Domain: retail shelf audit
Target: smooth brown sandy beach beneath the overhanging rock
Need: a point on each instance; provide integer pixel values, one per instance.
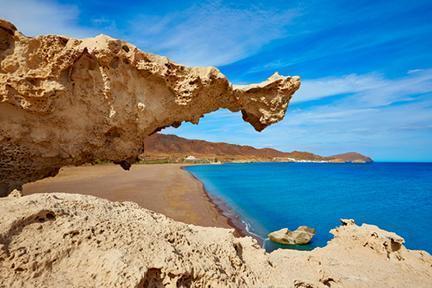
(164, 188)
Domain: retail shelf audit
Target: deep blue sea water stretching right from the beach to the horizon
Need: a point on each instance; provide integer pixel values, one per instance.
(269, 196)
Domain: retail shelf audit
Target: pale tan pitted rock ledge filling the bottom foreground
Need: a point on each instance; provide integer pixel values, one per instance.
(64, 240)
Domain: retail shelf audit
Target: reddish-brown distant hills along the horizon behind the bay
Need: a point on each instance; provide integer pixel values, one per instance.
(173, 148)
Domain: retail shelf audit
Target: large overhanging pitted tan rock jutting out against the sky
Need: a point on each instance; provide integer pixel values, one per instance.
(67, 101)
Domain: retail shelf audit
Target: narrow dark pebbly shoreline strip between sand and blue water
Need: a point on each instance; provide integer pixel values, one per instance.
(234, 219)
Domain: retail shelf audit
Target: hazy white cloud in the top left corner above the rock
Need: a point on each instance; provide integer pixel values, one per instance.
(36, 17)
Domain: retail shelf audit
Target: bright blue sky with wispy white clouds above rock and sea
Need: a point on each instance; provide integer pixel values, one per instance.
(366, 66)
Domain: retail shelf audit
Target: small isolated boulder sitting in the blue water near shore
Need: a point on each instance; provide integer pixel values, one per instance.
(302, 235)
